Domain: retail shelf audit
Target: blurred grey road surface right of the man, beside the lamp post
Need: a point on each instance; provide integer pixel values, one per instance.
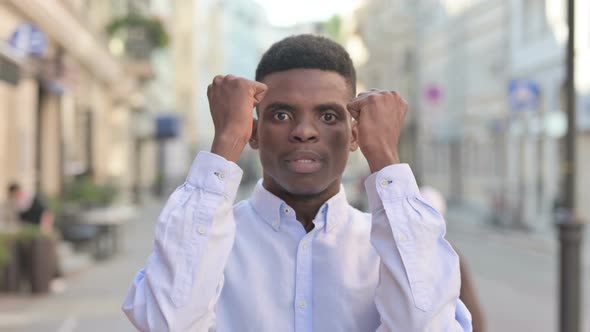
(515, 274)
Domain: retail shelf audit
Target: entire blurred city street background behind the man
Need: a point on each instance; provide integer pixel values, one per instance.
(103, 105)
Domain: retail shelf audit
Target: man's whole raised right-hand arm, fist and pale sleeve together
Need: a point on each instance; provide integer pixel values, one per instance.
(419, 277)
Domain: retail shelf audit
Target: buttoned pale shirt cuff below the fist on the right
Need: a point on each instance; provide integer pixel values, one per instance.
(392, 183)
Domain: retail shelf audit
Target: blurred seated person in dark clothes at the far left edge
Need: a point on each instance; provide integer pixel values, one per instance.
(30, 208)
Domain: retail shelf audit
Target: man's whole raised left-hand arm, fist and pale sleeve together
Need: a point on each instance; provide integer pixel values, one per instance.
(179, 287)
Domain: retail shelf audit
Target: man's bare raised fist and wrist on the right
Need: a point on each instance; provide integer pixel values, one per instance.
(380, 116)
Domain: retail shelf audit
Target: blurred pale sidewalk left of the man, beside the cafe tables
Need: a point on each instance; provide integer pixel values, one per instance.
(92, 300)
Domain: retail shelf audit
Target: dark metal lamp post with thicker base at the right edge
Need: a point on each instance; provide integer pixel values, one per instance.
(569, 225)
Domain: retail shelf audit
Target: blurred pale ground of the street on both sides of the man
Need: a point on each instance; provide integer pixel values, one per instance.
(514, 274)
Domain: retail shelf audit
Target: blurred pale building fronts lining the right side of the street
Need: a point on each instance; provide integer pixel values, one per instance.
(472, 142)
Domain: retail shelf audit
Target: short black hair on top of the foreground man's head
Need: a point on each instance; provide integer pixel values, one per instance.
(307, 52)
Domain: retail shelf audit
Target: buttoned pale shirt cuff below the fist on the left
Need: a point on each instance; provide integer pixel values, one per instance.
(214, 173)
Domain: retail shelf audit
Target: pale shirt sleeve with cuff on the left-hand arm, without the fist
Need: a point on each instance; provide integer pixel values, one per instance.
(179, 286)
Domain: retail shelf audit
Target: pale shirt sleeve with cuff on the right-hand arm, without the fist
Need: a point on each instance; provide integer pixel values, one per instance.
(419, 273)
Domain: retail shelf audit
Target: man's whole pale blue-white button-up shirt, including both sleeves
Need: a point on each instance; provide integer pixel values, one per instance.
(253, 267)
